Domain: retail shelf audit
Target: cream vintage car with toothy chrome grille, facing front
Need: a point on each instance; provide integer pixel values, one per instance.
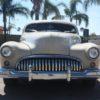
(50, 50)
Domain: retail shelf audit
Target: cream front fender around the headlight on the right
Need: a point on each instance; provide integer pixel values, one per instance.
(81, 51)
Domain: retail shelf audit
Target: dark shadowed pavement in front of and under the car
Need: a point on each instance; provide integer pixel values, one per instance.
(49, 90)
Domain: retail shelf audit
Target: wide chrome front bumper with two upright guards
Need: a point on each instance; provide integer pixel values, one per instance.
(11, 73)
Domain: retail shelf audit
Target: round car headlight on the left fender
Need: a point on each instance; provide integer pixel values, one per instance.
(6, 51)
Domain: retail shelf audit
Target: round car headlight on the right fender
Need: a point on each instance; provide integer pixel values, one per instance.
(93, 53)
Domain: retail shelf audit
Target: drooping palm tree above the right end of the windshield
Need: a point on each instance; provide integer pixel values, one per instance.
(72, 13)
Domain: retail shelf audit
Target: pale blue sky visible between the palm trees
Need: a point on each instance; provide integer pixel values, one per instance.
(93, 13)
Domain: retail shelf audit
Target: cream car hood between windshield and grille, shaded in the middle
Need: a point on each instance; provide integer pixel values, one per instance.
(48, 42)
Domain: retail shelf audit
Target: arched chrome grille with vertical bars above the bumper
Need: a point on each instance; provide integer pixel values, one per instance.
(49, 63)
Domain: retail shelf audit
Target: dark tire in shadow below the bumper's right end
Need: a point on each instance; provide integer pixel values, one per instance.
(89, 83)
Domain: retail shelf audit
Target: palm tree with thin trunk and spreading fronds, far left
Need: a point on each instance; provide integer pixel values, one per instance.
(7, 8)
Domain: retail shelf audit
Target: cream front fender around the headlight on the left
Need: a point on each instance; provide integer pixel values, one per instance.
(19, 50)
